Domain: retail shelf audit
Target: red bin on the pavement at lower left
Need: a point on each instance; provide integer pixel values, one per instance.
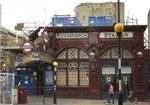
(22, 95)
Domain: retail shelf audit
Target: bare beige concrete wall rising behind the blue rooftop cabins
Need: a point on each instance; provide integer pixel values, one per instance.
(99, 9)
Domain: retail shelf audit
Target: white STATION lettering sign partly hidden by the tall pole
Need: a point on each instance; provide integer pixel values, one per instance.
(113, 35)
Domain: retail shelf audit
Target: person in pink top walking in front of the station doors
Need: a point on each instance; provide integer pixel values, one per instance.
(110, 93)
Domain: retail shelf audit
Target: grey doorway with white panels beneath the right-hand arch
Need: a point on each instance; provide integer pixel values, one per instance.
(109, 73)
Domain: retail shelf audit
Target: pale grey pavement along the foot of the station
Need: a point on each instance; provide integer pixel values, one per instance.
(39, 100)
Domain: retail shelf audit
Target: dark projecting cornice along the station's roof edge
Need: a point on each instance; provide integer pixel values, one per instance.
(127, 28)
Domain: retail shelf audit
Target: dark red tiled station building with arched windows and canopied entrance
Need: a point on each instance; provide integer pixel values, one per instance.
(88, 60)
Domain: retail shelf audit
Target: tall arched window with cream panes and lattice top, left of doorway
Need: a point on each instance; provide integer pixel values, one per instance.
(73, 69)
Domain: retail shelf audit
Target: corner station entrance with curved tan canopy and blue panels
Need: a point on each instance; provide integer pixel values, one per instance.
(35, 73)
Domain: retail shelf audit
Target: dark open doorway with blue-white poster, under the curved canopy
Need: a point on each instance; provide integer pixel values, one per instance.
(44, 81)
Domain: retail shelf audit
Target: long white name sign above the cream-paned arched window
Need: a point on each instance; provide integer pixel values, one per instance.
(71, 35)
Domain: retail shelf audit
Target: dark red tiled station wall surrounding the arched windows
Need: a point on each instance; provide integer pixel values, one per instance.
(94, 42)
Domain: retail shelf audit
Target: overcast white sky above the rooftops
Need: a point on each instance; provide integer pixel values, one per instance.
(41, 11)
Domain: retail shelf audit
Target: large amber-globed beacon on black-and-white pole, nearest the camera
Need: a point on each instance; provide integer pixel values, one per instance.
(119, 28)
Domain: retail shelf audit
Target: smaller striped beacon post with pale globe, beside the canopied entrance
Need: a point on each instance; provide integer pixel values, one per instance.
(55, 64)
